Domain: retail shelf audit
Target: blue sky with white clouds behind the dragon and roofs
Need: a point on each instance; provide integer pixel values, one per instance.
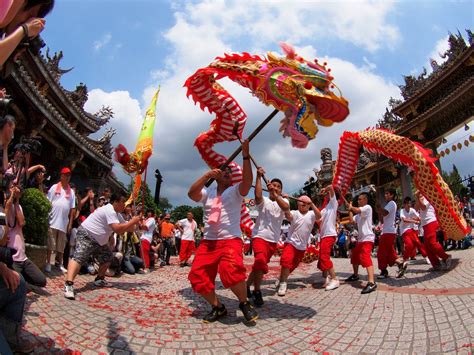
(123, 49)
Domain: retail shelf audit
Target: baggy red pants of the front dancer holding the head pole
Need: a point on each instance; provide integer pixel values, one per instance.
(212, 256)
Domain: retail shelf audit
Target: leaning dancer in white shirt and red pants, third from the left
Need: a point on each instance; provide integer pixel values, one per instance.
(301, 223)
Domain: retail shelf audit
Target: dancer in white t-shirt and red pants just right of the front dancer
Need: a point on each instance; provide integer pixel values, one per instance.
(266, 233)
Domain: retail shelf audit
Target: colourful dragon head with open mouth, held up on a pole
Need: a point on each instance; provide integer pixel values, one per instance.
(303, 90)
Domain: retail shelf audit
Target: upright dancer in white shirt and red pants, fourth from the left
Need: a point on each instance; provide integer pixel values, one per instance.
(328, 236)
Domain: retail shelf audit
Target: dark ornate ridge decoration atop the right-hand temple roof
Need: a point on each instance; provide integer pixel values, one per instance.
(457, 46)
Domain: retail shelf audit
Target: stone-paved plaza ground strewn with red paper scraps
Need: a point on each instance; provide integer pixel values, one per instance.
(425, 312)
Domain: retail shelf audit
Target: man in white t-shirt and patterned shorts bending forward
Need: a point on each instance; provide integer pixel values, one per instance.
(92, 239)
